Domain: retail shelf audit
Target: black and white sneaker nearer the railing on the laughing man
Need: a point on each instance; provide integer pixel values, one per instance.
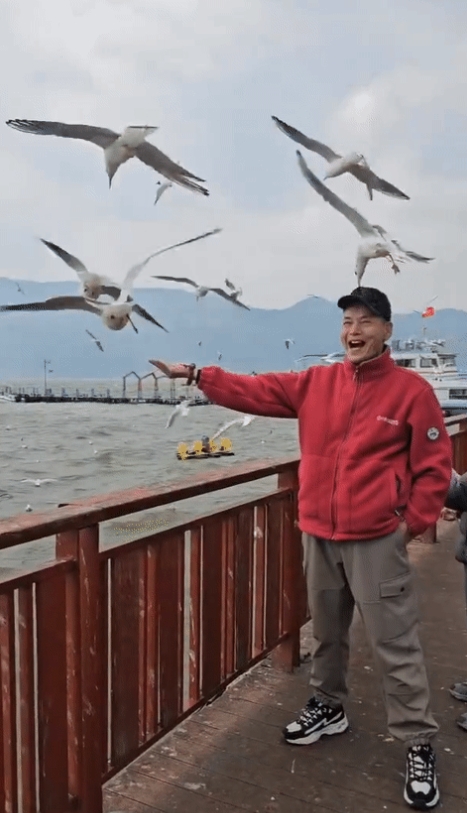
(316, 719)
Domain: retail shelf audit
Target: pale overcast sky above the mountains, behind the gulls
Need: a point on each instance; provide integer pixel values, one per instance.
(386, 78)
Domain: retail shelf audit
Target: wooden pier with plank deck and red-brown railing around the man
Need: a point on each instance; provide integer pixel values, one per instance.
(155, 675)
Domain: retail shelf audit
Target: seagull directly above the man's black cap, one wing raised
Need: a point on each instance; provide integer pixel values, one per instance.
(375, 240)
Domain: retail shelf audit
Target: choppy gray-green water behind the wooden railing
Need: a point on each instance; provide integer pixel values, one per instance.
(98, 448)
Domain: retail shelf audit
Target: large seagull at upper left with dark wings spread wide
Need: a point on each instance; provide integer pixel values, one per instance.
(118, 148)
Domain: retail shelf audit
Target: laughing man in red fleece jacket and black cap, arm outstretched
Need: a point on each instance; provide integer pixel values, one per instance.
(374, 472)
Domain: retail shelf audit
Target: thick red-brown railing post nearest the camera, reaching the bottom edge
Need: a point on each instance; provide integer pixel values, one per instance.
(86, 730)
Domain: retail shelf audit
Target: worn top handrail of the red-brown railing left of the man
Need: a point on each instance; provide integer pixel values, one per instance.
(23, 528)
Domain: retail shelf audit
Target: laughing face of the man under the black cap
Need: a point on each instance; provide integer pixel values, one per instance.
(363, 334)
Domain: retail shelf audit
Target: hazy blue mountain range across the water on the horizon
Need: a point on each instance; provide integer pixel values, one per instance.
(248, 341)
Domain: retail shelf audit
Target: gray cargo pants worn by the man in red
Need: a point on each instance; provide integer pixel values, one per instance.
(374, 575)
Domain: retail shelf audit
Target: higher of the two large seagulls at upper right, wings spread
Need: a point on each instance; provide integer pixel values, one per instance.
(354, 163)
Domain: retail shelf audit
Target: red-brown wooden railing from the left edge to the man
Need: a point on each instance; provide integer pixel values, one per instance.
(102, 651)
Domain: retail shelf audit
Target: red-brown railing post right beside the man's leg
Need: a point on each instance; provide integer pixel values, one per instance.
(286, 656)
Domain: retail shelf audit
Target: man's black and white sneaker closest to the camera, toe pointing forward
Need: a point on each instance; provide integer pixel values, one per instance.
(421, 786)
